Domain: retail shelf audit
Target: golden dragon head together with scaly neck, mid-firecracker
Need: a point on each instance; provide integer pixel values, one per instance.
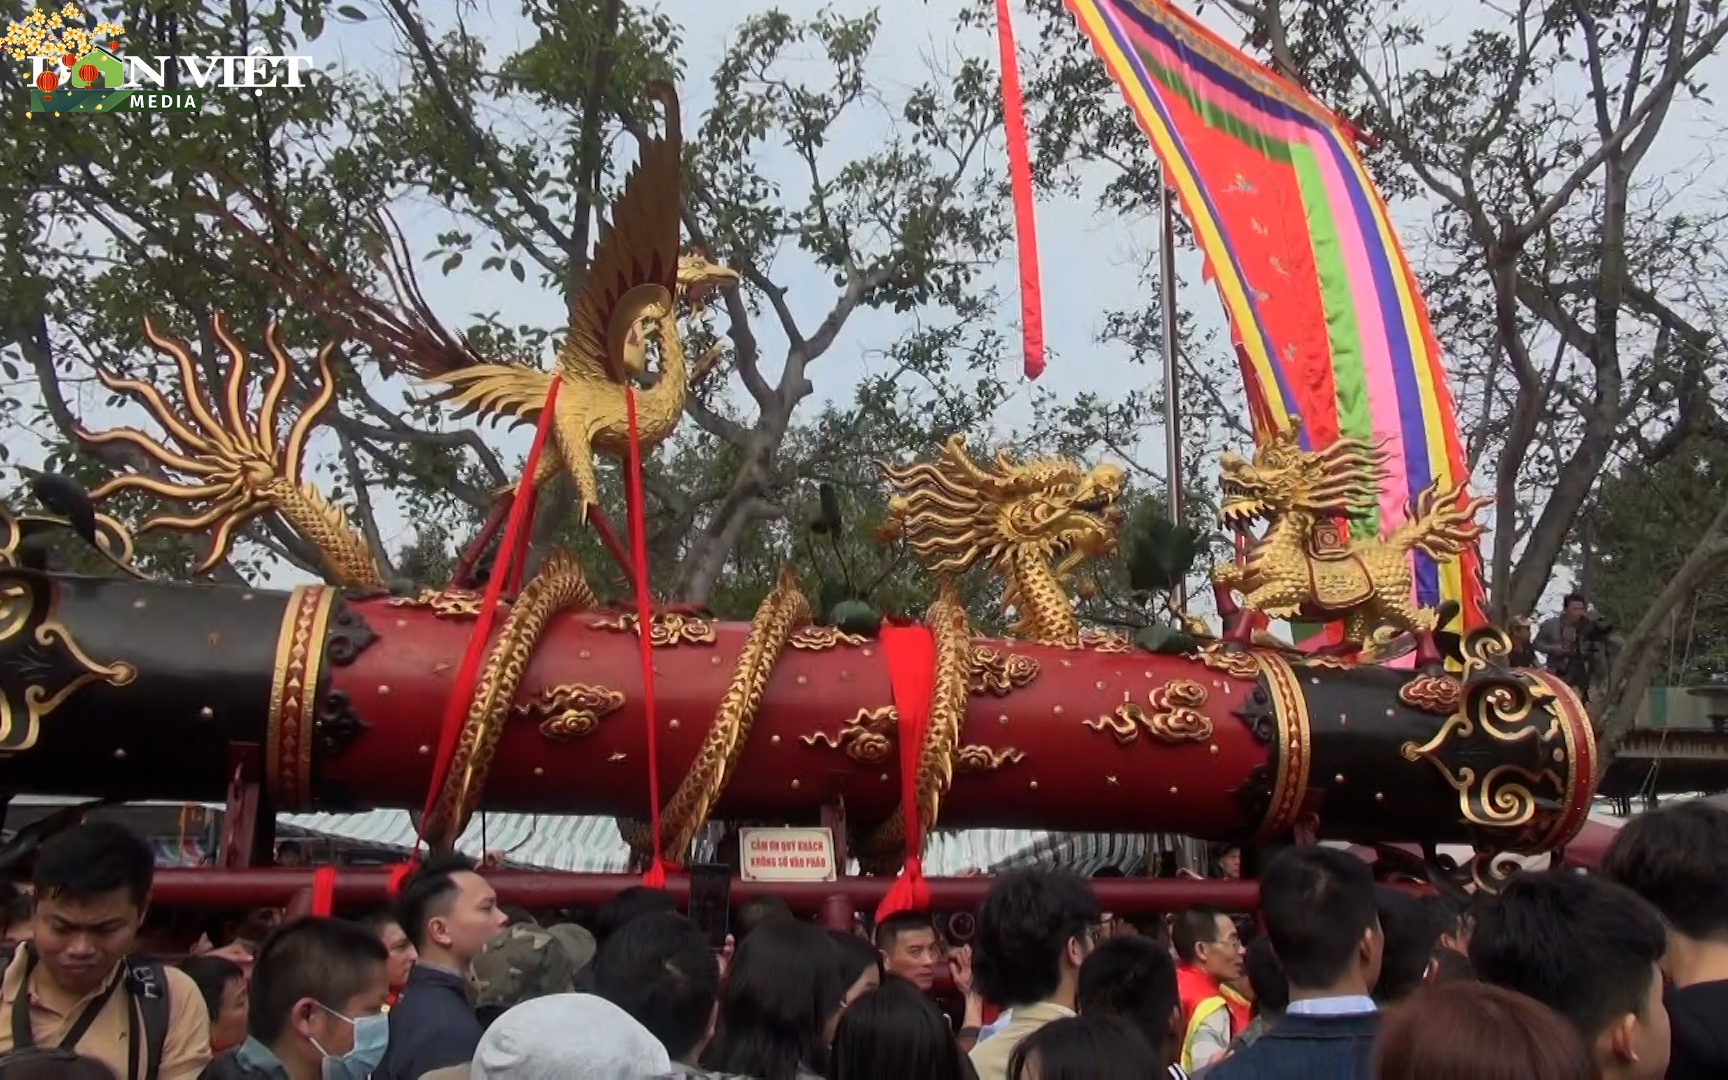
(1013, 519)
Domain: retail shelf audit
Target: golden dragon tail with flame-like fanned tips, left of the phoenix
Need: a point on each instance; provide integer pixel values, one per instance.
(238, 466)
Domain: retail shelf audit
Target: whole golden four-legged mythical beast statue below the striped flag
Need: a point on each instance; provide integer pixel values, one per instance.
(1307, 566)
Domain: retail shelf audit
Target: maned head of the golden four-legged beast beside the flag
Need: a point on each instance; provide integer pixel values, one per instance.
(1283, 478)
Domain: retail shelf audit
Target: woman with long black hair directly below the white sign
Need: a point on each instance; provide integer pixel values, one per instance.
(780, 1007)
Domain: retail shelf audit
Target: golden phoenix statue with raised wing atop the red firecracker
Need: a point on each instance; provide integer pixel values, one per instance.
(628, 300)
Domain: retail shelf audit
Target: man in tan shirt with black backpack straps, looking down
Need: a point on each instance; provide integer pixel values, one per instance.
(79, 988)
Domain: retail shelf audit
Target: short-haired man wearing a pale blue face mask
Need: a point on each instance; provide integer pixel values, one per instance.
(317, 1007)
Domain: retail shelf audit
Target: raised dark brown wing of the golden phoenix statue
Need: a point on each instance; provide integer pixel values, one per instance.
(635, 264)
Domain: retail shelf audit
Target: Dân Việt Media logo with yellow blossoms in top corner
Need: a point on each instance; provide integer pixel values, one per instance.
(77, 65)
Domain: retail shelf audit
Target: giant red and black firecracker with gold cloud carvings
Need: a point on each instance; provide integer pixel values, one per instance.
(345, 697)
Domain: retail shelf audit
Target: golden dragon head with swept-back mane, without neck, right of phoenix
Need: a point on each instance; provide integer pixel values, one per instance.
(958, 516)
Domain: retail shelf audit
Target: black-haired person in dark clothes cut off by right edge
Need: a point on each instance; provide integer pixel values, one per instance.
(1677, 860)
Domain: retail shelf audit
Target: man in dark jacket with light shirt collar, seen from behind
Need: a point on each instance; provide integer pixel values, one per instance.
(1319, 910)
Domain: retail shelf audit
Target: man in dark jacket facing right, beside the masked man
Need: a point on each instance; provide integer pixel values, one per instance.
(452, 915)
